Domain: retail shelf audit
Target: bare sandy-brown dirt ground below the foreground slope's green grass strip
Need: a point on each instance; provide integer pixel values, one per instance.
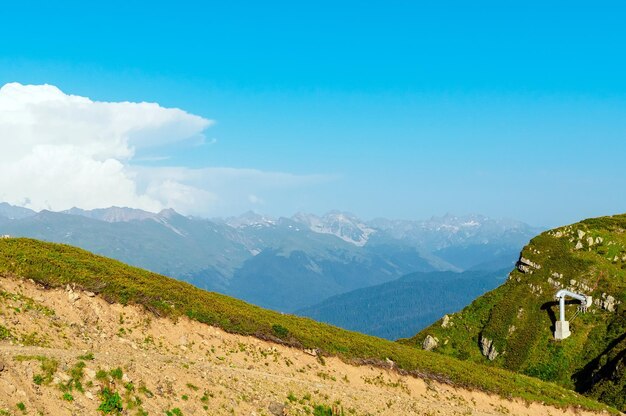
(191, 368)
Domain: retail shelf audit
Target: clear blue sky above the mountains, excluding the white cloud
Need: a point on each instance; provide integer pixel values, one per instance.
(396, 109)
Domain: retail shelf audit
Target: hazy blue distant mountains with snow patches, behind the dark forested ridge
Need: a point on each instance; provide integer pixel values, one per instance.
(281, 263)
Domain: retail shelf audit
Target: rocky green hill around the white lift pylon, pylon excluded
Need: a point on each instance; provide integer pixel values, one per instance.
(514, 323)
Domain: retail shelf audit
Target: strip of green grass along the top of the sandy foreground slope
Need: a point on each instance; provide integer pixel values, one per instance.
(56, 265)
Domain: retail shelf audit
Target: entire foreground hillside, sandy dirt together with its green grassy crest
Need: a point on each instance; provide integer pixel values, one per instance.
(81, 333)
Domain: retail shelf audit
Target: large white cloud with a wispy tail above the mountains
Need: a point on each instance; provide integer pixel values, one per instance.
(59, 150)
